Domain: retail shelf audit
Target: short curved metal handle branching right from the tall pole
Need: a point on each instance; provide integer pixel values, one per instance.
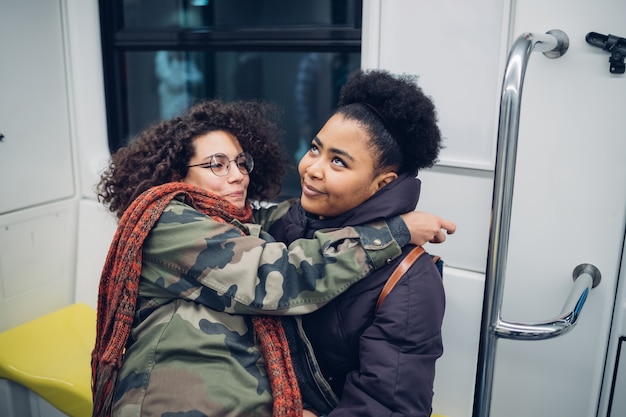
(586, 277)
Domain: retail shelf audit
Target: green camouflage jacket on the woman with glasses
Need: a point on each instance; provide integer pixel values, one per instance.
(186, 359)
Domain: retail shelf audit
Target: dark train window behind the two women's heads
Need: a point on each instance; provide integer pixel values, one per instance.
(161, 55)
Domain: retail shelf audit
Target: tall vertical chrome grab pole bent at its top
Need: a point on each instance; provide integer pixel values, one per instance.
(553, 44)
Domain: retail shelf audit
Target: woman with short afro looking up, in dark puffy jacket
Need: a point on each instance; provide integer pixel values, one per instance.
(369, 356)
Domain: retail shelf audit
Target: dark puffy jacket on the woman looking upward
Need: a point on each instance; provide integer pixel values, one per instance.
(378, 363)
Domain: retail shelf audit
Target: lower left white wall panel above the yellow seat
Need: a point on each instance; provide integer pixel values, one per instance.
(36, 262)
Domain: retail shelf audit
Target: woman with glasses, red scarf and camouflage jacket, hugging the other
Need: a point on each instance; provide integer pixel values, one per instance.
(187, 255)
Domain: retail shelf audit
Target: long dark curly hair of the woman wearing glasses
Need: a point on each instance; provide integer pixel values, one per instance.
(161, 153)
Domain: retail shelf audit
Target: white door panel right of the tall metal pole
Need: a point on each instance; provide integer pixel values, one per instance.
(569, 208)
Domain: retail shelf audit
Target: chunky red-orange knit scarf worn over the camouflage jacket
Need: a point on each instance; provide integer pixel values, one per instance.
(117, 297)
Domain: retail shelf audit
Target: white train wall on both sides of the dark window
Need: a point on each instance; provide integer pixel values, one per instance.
(569, 204)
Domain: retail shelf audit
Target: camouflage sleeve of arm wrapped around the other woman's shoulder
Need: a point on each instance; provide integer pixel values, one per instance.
(213, 264)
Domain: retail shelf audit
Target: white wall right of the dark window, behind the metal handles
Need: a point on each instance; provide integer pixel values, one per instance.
(570, 204)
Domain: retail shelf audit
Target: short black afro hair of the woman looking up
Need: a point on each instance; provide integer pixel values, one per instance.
(400, 118)
